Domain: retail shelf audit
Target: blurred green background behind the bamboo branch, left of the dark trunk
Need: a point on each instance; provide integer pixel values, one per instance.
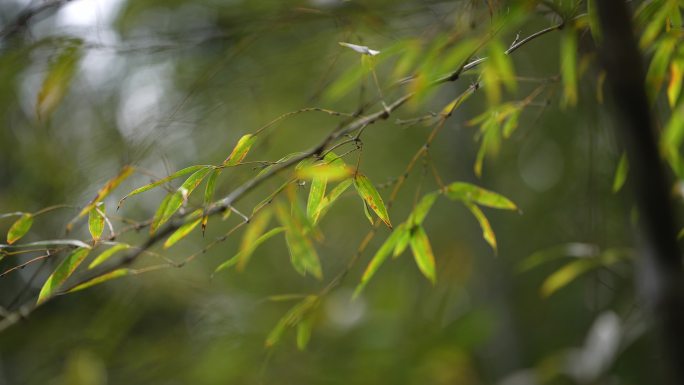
(165, 84)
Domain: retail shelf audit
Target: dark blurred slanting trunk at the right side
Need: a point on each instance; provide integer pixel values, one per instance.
(659, 266)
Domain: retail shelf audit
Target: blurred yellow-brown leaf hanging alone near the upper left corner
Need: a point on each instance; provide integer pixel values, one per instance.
(58, 78)
